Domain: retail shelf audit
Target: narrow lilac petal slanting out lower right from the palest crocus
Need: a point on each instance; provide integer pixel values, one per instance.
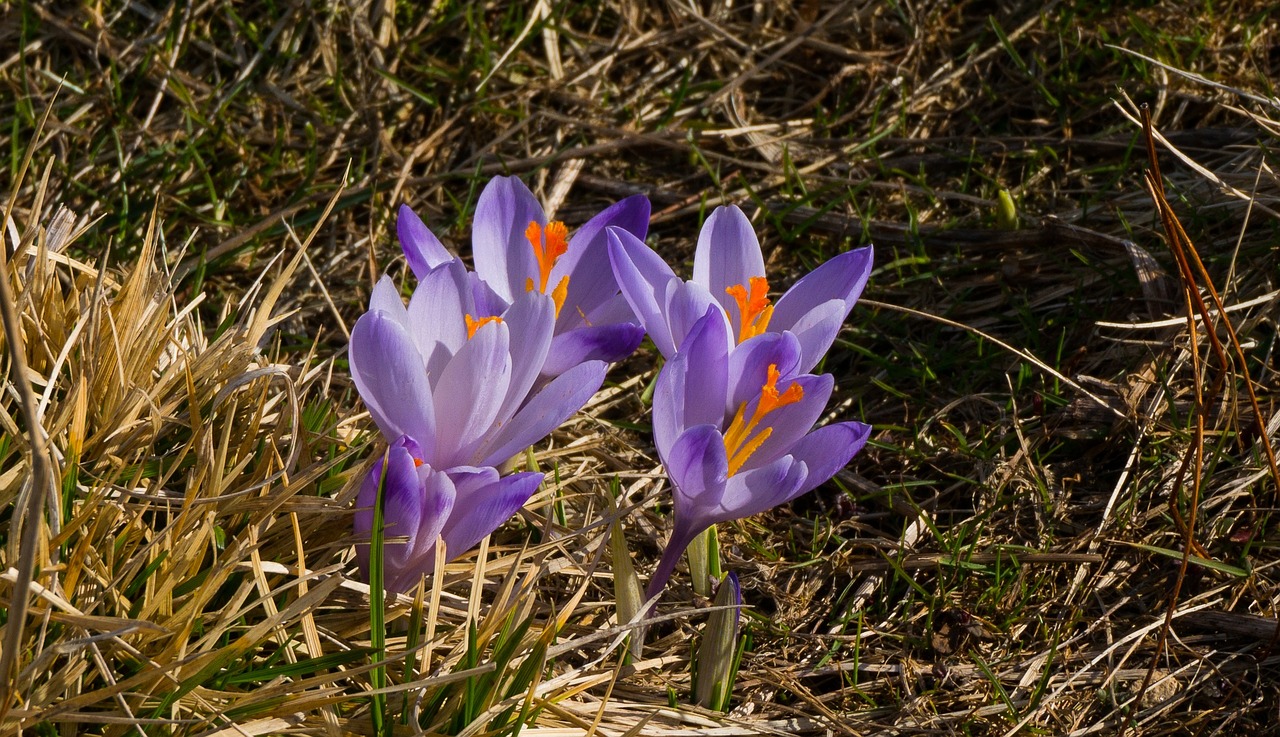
(543, 414)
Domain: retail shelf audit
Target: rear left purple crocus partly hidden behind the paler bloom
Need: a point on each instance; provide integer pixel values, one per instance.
(516, 251)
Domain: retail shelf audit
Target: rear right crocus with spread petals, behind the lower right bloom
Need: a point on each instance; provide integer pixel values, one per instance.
(729, 273)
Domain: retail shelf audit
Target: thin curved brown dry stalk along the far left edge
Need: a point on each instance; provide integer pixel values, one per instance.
(29, 521)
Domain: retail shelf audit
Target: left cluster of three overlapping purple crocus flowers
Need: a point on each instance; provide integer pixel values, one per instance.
(481, 367)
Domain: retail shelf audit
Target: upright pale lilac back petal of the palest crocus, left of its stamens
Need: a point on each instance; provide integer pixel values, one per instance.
(437, 315)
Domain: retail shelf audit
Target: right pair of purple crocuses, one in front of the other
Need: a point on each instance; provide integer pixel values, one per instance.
(735, 405)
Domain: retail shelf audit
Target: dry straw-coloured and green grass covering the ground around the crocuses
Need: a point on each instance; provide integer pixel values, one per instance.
(1064, 524)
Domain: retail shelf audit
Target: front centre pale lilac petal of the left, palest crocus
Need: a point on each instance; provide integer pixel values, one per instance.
(470, 393)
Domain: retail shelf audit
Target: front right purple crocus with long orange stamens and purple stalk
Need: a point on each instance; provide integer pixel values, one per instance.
(734, 429)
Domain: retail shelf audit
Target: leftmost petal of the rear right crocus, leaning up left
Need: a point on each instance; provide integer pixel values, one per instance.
(644, 280)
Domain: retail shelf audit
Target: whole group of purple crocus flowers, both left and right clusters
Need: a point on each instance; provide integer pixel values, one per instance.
(483, 364)
